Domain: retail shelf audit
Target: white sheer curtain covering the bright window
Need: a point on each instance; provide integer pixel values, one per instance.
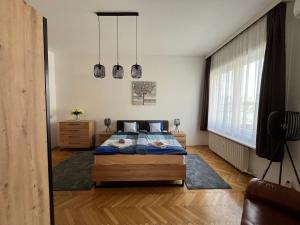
(235, 84)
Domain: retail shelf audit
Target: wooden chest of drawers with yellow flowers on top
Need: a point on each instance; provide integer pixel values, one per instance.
(77, 134)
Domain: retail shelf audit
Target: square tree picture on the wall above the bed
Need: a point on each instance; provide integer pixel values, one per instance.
(143, 92)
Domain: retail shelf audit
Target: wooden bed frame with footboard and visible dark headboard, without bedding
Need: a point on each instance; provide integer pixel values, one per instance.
(119, 167)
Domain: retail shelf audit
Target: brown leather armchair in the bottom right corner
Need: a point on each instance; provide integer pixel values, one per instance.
(270, 204)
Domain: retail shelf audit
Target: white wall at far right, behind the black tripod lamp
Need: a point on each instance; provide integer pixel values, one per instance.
(258, 165)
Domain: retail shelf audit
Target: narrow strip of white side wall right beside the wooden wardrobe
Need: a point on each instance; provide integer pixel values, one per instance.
(52, 89)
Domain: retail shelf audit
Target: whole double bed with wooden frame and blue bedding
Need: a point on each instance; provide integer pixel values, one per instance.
(140, 161)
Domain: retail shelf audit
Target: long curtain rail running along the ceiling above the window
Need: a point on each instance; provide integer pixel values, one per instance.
(250, 22)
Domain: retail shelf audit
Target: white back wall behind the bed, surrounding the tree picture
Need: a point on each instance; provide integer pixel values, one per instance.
(178, 91)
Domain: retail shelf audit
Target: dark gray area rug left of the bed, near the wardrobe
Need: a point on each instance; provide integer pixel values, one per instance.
(74, 173)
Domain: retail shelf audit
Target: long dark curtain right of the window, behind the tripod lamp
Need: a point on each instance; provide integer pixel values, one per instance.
(272, 92)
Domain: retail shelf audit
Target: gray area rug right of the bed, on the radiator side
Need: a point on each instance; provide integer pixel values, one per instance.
(201, 176)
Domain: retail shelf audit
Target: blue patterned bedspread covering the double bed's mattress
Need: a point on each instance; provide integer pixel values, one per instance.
(141, 144)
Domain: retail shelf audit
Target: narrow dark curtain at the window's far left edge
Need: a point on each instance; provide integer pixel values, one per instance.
(205, 96)
